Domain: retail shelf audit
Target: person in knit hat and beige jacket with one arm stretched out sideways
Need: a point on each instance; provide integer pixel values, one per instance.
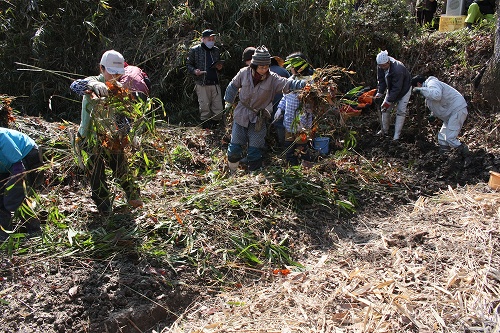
(256, 87)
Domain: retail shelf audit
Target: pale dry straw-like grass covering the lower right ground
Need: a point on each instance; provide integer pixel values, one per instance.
(432, 267)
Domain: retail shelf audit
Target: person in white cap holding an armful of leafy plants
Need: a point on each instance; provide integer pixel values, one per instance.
(106, 119)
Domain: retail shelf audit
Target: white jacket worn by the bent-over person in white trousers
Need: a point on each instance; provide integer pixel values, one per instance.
(442, 99)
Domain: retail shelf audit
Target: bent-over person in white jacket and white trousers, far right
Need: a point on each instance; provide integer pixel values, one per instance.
(447, 104)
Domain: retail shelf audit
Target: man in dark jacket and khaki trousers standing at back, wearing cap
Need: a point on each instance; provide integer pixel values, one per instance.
(203, 62)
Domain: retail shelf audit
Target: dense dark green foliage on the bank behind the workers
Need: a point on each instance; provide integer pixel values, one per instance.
(69, 37)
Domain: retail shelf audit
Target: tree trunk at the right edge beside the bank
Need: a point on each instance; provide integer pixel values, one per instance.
(490, 82)
